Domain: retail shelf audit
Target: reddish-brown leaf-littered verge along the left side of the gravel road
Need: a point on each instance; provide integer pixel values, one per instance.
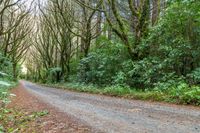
(54, 122)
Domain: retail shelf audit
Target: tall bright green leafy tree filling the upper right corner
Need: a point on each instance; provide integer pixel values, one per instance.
(177, 37)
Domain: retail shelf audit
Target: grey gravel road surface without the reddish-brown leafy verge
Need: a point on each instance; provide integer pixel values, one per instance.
(115, 115)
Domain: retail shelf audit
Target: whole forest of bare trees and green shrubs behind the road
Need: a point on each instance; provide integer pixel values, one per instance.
(141, 49)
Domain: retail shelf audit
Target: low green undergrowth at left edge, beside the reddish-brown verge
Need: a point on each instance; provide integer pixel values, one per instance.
(14, 120)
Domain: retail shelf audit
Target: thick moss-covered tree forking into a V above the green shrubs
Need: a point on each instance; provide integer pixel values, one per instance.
(138, 26)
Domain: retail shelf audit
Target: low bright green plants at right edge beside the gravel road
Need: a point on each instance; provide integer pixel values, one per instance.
(177, 91)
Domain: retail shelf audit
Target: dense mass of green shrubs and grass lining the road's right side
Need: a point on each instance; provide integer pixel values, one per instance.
(166, 67)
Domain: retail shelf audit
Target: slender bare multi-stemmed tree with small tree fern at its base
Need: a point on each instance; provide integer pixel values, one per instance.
(54, 41)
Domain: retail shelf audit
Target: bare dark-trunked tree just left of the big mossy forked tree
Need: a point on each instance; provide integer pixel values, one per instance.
(88, 24)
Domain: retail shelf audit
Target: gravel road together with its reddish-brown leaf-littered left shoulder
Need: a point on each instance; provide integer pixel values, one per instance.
(80, 112)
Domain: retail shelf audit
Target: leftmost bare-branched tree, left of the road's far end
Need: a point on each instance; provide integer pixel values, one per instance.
(14, 30)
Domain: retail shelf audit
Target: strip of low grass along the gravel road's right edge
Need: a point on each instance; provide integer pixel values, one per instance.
(181, 94)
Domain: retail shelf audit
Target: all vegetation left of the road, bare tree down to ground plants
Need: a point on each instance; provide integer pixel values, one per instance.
(14, 27)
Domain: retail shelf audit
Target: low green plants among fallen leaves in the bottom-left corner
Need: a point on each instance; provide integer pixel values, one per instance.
(14, 120)
